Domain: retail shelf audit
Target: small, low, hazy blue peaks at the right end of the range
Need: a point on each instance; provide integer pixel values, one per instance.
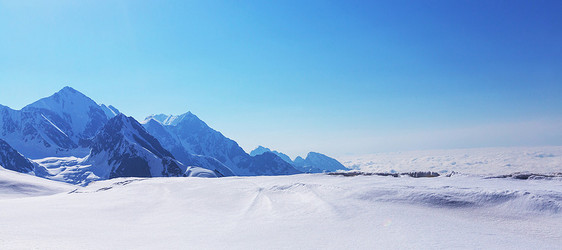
(314, 162)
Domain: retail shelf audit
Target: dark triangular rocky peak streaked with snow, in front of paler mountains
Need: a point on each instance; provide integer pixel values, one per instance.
(123, 148)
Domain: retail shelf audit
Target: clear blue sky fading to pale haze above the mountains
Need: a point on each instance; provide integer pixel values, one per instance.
(338, 77)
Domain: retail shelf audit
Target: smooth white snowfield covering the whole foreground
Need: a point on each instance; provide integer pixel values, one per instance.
(282, 212)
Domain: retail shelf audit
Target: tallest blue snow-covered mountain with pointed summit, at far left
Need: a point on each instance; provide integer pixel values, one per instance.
(59, 125)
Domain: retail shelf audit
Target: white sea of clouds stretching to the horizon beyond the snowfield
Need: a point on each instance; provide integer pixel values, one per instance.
(483, 161)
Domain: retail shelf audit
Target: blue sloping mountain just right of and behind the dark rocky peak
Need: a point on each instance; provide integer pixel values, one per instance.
(187, 134)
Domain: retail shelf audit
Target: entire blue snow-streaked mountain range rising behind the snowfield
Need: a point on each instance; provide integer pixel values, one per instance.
(71, 138)
